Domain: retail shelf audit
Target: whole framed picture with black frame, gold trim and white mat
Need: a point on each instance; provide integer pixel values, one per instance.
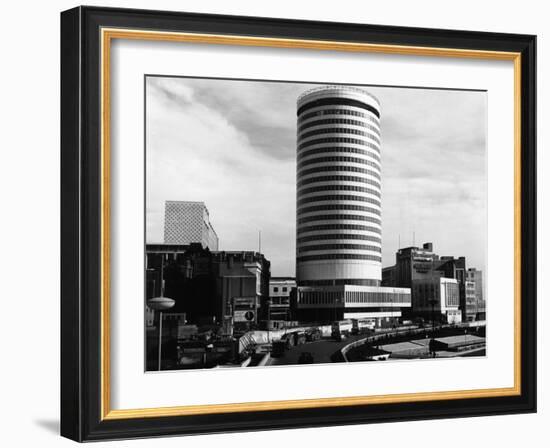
(273, 223)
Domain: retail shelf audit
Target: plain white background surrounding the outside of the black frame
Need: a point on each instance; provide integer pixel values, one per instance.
(29, 176)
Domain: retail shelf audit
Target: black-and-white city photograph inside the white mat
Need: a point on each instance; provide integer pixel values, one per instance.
(291, 223)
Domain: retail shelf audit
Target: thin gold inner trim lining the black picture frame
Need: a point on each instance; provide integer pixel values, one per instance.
(107, 35)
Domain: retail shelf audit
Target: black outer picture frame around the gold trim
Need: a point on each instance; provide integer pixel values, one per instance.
(81, 215)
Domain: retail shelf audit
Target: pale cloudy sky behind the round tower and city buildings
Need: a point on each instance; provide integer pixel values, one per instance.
(232, 145)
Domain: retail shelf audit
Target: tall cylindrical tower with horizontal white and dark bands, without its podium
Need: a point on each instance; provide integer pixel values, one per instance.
(338, 208)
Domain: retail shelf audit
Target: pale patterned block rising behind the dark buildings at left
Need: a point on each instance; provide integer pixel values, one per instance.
(187, 222)
